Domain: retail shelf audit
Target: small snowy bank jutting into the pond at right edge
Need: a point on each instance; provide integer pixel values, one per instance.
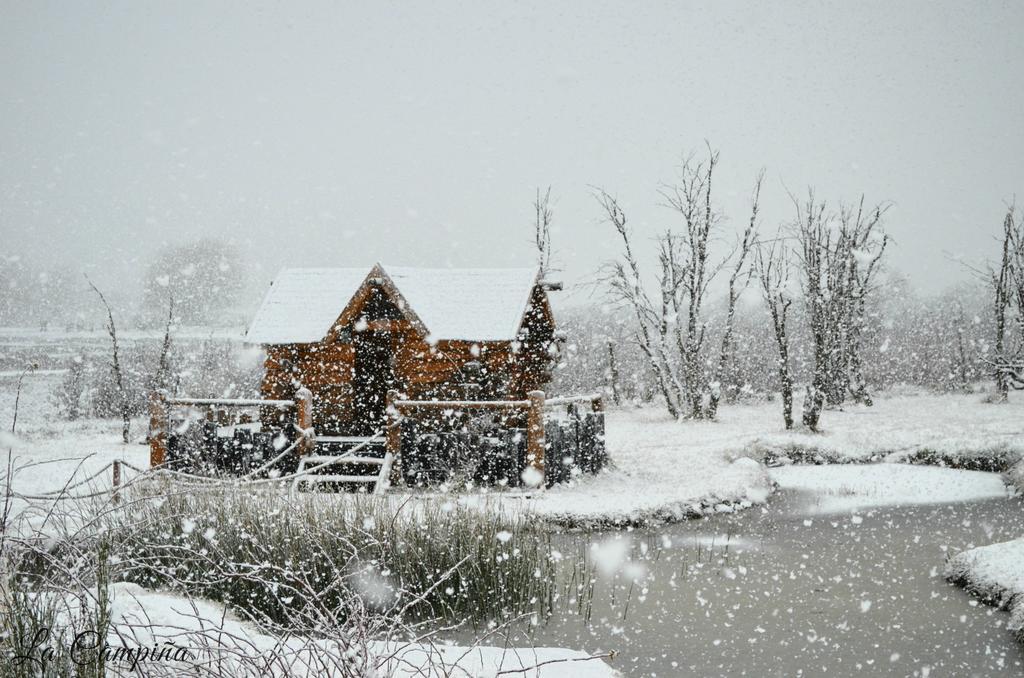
(995, 574)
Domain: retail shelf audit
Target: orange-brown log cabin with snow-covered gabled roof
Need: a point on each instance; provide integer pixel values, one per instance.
(350, 336)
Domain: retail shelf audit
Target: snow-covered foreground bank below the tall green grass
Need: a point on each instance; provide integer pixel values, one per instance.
(211, 634)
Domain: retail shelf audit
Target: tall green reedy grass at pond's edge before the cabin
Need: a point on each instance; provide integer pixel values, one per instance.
(279, 558)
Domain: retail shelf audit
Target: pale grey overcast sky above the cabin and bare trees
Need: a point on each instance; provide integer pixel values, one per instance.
(417, 133)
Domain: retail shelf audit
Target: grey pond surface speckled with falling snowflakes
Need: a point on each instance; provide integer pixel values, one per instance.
(790, 590)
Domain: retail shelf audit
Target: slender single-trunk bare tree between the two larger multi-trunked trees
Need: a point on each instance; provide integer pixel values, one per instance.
(773, 264)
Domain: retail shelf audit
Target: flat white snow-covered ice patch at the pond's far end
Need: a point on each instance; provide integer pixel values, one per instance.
(845, 488)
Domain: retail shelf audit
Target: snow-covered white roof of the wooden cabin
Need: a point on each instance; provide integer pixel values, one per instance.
(472, 305)
